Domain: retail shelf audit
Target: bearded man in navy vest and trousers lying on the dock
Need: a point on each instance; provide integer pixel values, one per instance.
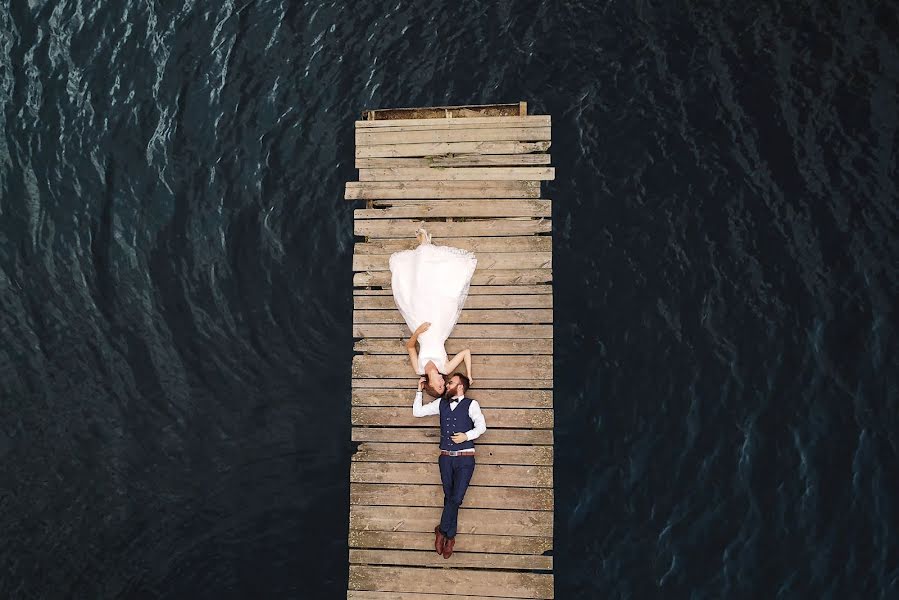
(461, 421)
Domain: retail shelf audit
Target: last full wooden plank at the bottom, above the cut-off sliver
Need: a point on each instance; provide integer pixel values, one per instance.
(456, 581)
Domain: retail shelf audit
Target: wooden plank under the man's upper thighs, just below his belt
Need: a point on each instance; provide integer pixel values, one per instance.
(428, 474)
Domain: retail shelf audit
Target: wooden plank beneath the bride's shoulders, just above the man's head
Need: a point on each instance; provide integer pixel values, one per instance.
(500, 367)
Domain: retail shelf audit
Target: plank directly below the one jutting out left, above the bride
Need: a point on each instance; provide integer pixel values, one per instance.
(412, 209)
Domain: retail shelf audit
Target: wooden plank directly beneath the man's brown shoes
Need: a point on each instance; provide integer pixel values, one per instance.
(405, 540)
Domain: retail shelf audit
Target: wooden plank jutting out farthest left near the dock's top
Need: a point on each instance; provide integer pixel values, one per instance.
(372, 190)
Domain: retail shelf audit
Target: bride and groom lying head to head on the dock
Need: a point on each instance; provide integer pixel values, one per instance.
(430, 285)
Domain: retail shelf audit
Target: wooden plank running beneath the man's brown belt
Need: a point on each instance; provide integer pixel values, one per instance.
(487, 454)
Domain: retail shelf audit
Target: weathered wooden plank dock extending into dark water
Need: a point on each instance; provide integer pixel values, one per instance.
(472, 174)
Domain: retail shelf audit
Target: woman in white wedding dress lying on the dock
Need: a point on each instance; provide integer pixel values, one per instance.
(430, 285)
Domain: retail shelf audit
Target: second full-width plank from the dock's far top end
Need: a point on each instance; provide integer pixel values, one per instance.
(431, 135)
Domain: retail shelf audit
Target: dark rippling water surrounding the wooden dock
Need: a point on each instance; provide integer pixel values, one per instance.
(176, 306)
